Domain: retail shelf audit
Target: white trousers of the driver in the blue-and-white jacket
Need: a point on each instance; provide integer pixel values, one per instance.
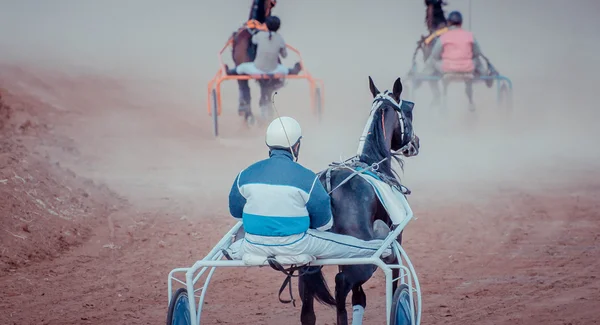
(320, 244)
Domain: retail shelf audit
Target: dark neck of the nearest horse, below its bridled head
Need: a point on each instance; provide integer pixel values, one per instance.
(375, 148)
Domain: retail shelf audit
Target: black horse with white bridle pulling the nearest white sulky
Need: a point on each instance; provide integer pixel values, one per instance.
(355, 205)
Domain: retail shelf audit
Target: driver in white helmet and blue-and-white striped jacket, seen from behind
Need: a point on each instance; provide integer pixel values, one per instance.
(284, 208)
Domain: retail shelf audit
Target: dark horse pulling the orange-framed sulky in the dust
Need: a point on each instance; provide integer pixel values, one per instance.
(245, 51)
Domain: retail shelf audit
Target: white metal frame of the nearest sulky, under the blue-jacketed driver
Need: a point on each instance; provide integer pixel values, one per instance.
(213, 260)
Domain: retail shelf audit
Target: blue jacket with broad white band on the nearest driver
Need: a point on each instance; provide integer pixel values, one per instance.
(279, 197)
